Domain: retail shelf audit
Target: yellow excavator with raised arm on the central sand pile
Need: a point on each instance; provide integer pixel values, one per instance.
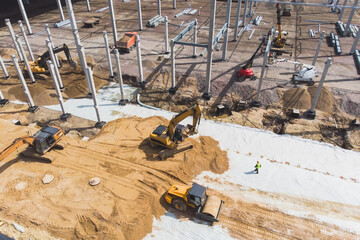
(170, 136)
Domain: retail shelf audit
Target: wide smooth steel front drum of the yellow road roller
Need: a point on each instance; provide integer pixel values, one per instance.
(211, 210)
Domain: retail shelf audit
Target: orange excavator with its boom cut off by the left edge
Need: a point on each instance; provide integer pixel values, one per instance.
(41, 143)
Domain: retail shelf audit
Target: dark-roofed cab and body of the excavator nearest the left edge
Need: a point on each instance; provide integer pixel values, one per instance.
(45, 139)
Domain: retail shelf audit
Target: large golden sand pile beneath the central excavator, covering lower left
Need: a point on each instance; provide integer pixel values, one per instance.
(133, 181)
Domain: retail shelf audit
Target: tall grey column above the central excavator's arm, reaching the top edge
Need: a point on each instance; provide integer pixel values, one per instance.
(207, 95)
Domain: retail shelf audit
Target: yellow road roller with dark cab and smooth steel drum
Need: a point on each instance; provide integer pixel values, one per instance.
(206, 207)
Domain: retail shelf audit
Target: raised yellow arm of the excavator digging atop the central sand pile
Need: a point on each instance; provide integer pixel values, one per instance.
(194, 110)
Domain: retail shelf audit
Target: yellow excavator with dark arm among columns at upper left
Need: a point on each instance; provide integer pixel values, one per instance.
(40, 65)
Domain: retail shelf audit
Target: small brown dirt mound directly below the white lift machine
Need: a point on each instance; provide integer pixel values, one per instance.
(298, 98)
